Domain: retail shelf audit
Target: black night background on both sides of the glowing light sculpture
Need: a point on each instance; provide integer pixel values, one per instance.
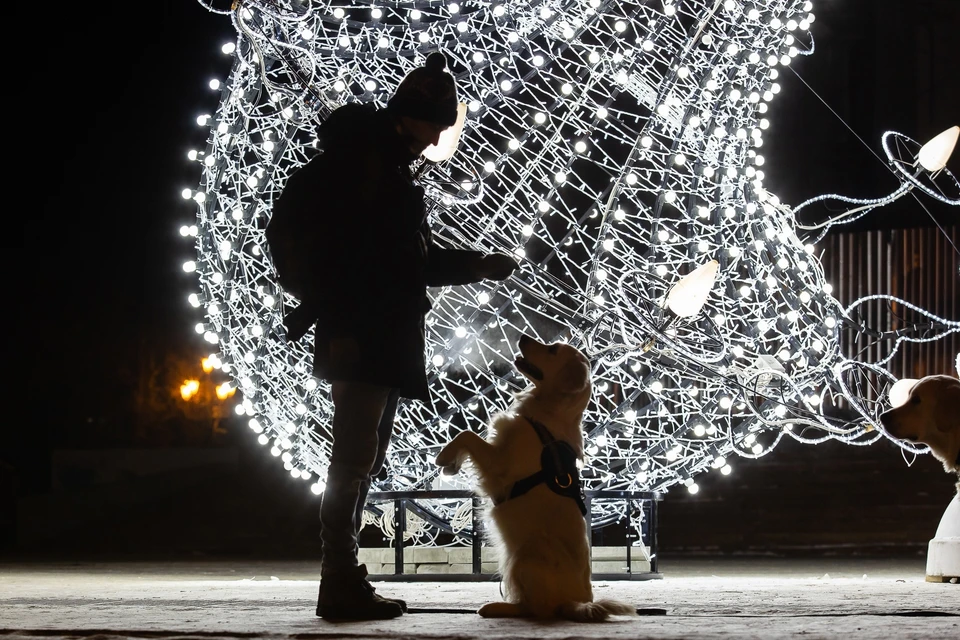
(103, 336)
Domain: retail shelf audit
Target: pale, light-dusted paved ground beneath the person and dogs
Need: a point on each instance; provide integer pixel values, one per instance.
(703, 598)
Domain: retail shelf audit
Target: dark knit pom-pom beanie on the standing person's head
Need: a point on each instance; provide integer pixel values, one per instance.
(427, 93)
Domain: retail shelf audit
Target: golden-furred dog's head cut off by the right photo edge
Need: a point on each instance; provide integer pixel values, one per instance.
(931, 415)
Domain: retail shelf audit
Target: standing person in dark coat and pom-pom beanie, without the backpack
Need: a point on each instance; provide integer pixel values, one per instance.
(374, 260)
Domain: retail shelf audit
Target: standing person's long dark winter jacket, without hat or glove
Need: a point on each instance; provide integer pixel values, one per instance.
(375, 258)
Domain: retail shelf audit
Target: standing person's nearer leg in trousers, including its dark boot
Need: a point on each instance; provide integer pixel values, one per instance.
(344, 591)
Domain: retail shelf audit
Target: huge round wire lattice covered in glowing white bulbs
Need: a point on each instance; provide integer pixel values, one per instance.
(614, 146)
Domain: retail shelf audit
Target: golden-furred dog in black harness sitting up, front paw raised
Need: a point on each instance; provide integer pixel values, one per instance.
(541, 535)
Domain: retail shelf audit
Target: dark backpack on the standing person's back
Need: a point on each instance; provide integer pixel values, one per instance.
(295, 230)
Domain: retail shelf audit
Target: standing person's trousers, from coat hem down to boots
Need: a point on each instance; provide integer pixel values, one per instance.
(362, 427)
